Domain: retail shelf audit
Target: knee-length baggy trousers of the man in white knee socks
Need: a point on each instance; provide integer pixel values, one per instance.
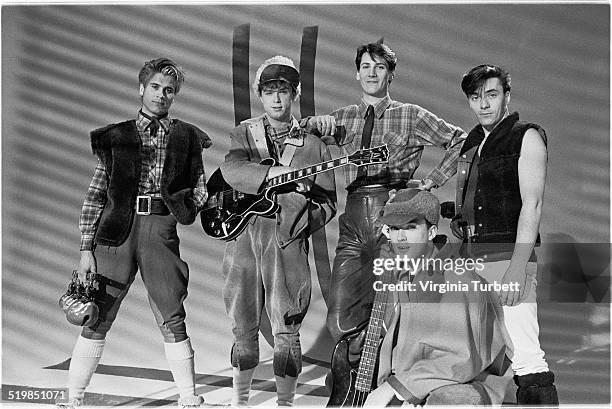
(153, 248)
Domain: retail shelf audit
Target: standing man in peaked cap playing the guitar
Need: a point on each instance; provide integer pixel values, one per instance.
(267, 264)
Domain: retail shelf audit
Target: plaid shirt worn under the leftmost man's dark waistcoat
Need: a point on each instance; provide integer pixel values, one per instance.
(153, 154)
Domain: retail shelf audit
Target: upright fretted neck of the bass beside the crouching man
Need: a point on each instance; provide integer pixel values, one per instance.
(369, 354)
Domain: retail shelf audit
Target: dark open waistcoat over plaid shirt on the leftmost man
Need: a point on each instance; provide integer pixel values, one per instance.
(118, 147)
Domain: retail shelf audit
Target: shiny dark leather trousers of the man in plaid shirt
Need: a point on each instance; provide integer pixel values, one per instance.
(351, 294)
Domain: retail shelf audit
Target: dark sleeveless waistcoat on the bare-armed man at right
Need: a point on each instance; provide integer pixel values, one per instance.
(497, 200)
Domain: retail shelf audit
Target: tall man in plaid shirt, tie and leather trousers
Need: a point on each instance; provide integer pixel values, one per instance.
(406, 129)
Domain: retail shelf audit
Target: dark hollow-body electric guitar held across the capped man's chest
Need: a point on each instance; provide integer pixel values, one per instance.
(227, 211)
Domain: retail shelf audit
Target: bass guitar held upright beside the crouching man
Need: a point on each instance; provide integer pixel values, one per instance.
(350, 387)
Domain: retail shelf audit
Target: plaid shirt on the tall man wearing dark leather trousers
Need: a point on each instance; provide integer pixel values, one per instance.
(406, 129)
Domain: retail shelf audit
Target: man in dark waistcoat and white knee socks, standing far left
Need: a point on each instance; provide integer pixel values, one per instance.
(149, 176)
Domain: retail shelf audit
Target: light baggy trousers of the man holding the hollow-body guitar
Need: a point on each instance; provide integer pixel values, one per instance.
(258, 273)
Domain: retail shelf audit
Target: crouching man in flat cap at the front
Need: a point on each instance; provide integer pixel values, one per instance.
(445, 343)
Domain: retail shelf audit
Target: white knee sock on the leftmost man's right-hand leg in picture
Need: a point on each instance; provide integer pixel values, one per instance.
(180, 360)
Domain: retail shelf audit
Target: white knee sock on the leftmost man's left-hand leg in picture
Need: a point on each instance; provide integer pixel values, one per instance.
(85, 357)
